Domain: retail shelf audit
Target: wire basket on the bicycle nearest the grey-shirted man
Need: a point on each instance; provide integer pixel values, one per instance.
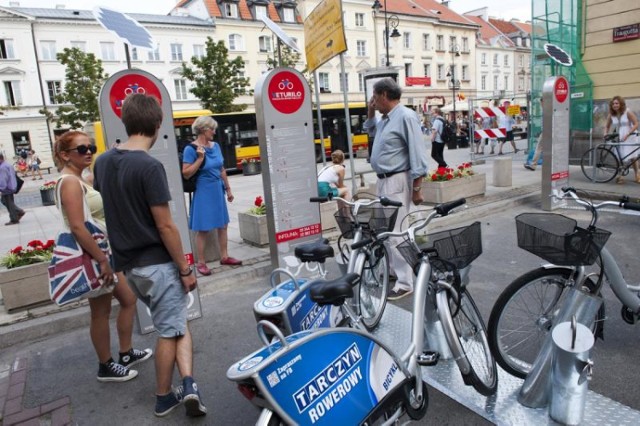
(373, 220)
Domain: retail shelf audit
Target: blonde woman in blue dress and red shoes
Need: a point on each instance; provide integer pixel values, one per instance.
(208, 207)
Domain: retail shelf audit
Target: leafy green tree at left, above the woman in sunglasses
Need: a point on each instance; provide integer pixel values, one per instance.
(84, 77)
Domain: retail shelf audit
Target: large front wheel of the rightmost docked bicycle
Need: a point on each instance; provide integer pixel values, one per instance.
(524, 314)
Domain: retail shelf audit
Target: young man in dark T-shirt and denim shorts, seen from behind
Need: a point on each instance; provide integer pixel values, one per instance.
(146, 246)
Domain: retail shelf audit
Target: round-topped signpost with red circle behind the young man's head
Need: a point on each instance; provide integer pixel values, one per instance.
(112, 96)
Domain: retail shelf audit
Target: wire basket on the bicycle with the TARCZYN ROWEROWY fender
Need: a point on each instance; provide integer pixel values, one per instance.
(459, 246)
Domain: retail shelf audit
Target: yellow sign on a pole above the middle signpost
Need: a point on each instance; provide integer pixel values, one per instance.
(324, 33)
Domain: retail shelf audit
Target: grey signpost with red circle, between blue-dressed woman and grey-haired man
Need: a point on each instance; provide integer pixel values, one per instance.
(287, 154)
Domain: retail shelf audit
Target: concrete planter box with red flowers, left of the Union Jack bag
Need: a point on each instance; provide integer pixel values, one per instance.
(25, 286)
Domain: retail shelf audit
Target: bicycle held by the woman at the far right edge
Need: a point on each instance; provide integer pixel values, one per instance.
(603, 163)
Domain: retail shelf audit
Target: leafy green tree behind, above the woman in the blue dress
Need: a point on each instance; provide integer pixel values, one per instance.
(217, 80)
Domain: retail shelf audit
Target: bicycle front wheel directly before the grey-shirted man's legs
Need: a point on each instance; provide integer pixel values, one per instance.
(374, 284)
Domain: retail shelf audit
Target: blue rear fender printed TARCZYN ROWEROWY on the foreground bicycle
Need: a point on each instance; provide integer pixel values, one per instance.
(324, 377)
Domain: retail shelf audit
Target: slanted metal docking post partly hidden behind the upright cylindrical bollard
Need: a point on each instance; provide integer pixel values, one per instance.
(536, 387)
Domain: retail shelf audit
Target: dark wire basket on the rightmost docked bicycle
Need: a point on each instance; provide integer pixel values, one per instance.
(556, 239)
